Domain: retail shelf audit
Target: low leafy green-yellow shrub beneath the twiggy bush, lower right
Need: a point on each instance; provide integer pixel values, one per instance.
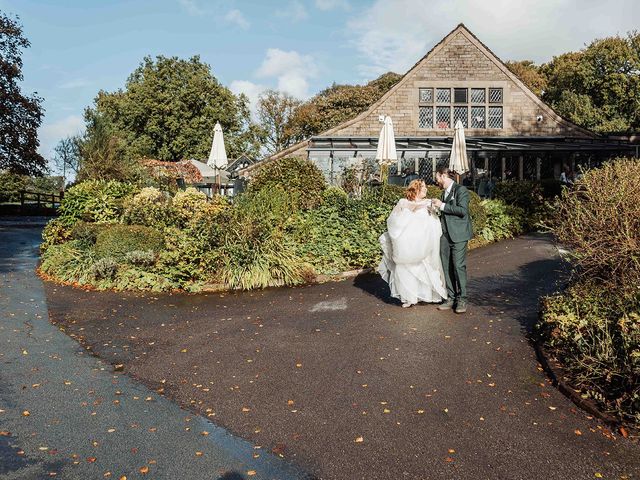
(596, 335)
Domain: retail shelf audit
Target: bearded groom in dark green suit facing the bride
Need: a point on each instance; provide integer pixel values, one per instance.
(456, 232)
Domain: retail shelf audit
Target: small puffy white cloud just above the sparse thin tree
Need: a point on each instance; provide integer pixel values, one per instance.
(291, 69)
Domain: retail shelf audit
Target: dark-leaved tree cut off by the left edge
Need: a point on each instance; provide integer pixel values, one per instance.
(20, 115)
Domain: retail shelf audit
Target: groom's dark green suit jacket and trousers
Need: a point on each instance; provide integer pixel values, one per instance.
(456, 232)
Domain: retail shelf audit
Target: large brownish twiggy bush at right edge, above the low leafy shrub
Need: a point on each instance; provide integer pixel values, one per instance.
(600, 221)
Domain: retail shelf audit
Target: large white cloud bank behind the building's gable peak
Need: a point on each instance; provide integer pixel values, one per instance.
(394, 34)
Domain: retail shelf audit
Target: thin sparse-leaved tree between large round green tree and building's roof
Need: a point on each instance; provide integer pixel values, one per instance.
(275, 111)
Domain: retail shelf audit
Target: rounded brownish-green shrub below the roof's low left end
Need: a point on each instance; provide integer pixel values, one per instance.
(300, 177)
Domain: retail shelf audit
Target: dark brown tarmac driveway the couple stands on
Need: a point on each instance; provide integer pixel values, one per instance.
(342, 382)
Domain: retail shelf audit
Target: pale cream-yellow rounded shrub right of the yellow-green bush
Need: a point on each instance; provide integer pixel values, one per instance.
(150, 207)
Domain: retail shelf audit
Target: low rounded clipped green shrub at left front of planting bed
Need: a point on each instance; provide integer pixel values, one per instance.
(117, 240)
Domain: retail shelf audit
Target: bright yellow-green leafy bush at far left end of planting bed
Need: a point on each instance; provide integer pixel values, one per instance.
(95, 200)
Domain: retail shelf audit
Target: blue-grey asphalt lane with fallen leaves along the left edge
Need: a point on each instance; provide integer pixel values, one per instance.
(65, 413)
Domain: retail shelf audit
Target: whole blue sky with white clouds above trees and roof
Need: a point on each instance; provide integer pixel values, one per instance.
(79, 47)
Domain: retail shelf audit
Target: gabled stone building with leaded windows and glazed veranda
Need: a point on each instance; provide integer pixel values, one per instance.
(510, 132)
